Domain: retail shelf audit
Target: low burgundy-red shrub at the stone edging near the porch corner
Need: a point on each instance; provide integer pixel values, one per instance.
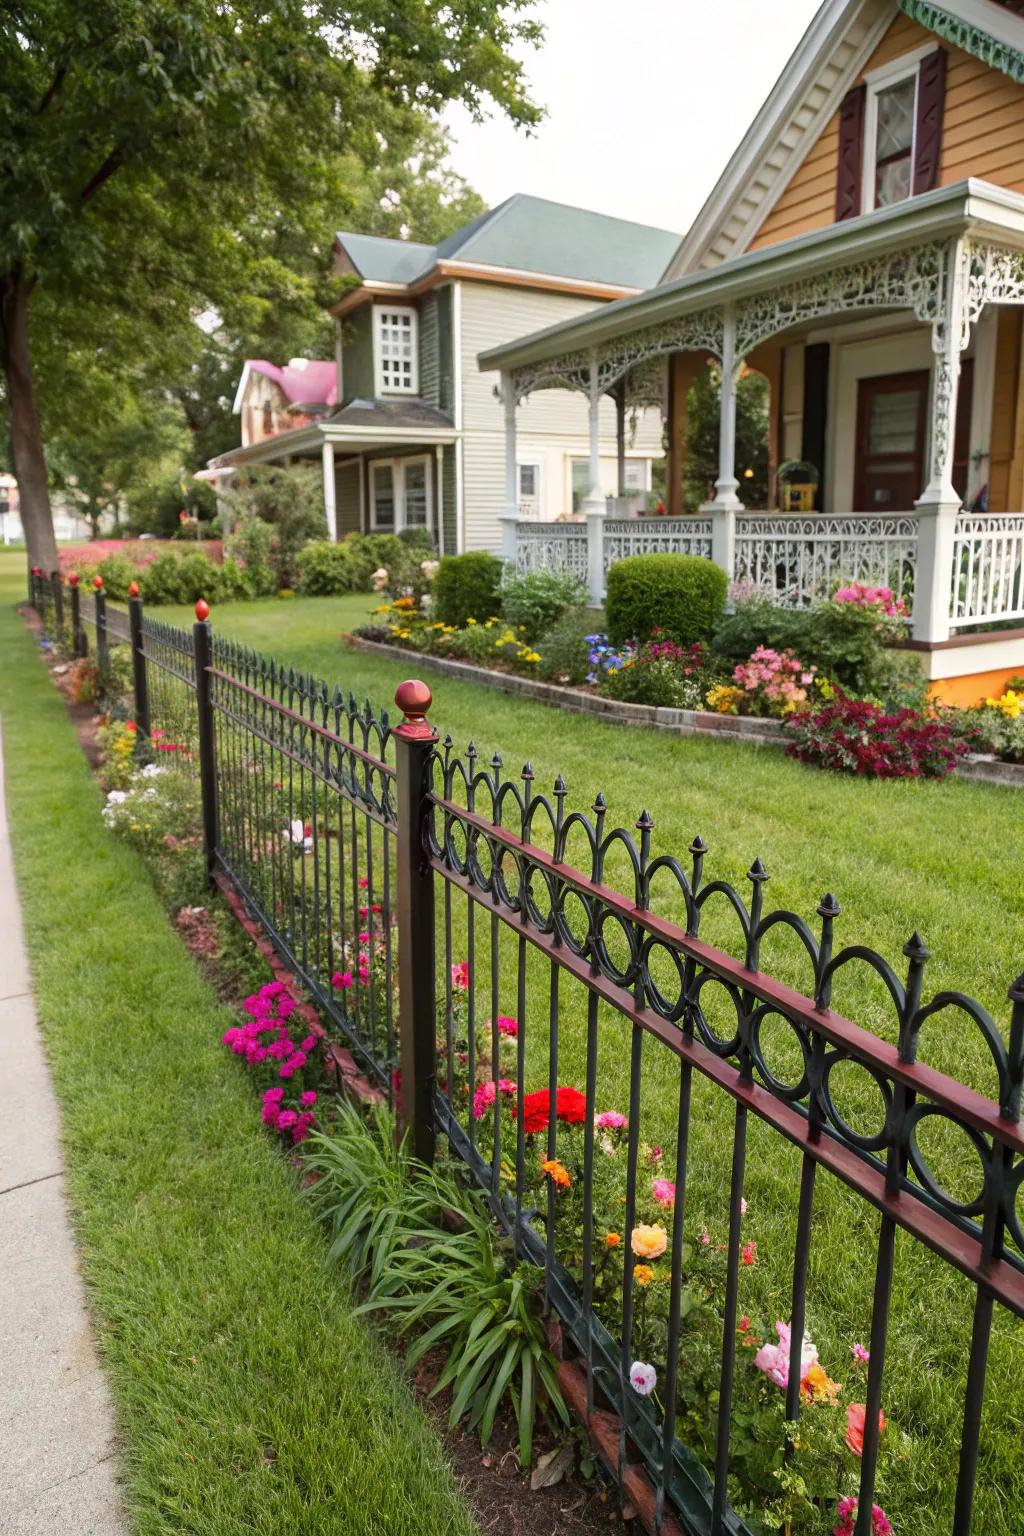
(860, 738)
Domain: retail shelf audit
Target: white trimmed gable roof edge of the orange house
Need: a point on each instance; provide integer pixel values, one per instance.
(824, 67)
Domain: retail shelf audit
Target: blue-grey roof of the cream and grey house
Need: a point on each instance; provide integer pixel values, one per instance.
(526, 234)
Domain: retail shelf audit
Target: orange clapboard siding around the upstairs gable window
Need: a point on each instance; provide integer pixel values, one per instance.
(983, 128)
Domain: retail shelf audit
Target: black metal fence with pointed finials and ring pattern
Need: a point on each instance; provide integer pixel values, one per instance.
(417, 892)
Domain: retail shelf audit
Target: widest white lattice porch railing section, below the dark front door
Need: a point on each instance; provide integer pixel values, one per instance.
(798, 560)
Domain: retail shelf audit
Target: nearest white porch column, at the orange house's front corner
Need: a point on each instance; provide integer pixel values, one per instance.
(940, 505)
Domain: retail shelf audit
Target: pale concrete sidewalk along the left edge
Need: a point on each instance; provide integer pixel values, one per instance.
(58, 1432)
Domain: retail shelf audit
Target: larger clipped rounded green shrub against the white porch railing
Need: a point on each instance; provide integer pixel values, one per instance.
(682, 595)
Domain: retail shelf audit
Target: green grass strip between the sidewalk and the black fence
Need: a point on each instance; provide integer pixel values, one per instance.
(249, 1399)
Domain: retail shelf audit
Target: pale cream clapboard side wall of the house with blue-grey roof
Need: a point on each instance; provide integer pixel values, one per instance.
(552, 425)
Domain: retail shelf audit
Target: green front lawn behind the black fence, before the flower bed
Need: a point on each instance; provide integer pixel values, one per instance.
(900, 856)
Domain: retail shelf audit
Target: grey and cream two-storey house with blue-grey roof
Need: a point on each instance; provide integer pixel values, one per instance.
(417, 437)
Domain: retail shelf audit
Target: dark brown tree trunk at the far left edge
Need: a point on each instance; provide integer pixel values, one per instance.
(27, 435)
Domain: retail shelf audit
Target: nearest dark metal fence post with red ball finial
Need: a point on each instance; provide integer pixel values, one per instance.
(415, 904)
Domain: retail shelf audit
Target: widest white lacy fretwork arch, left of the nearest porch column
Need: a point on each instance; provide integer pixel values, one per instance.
(900, 280)
